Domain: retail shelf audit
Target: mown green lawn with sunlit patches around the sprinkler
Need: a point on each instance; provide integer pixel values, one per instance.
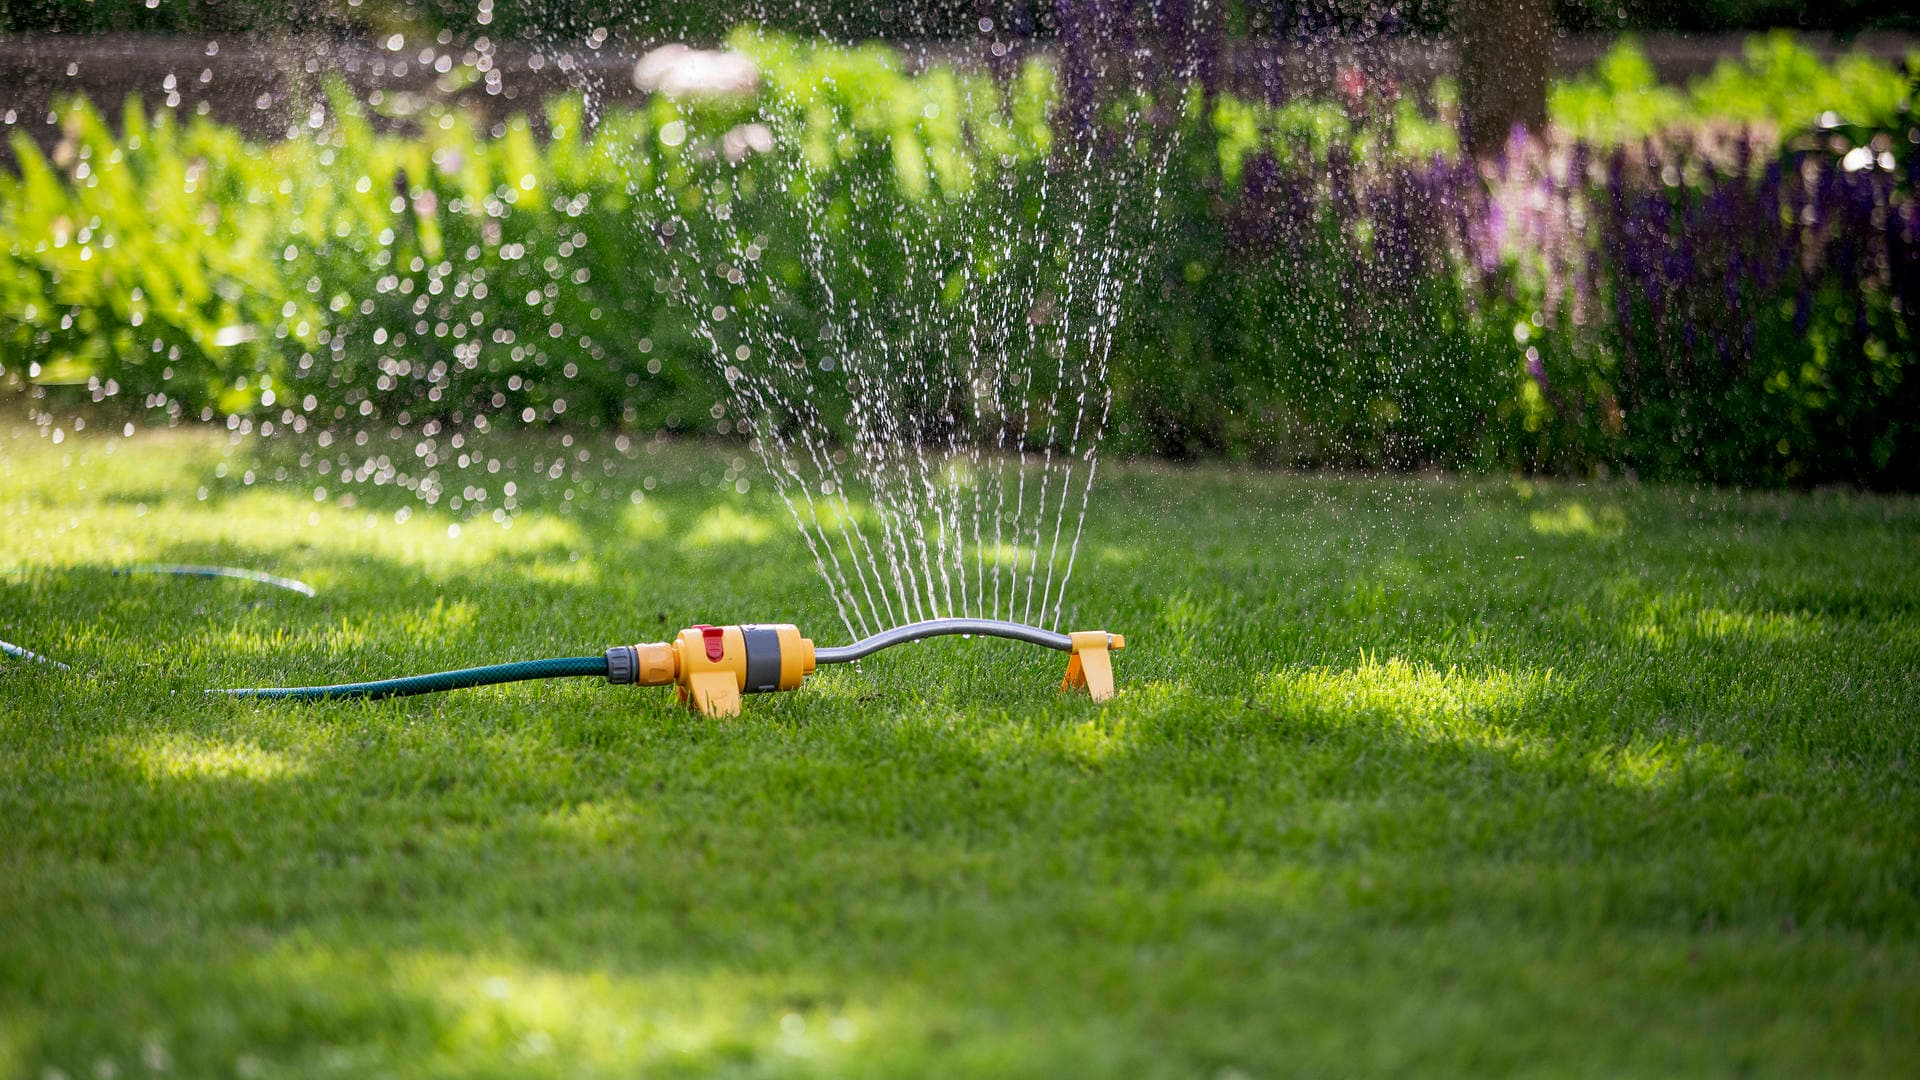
(1406, 775)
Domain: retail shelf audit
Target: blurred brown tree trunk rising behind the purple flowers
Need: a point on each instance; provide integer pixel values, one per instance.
(1504, 51)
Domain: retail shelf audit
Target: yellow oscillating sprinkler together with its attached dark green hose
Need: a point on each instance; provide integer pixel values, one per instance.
(715, 666)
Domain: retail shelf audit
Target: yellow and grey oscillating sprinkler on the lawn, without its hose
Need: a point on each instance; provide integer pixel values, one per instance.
(715, 666)
